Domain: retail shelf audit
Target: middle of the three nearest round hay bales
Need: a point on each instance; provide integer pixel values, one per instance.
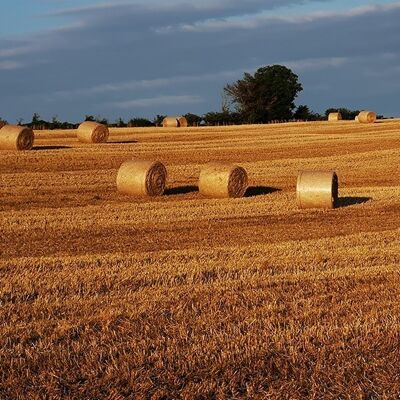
(221, 180)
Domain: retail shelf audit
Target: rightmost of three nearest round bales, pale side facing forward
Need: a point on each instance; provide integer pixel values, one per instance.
(317, 189)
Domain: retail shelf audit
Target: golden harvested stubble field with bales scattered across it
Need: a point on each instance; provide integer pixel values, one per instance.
(107, 296)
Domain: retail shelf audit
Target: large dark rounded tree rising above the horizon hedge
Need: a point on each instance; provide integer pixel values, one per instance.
(266, 95)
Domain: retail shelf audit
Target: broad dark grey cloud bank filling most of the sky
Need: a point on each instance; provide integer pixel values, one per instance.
(121, 61)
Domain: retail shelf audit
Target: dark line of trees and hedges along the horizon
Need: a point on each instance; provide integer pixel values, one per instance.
(266, 96)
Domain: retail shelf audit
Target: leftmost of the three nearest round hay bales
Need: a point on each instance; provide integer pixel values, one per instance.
(142, 178)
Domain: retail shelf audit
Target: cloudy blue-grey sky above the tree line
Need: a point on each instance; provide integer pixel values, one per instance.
(139, 58)
